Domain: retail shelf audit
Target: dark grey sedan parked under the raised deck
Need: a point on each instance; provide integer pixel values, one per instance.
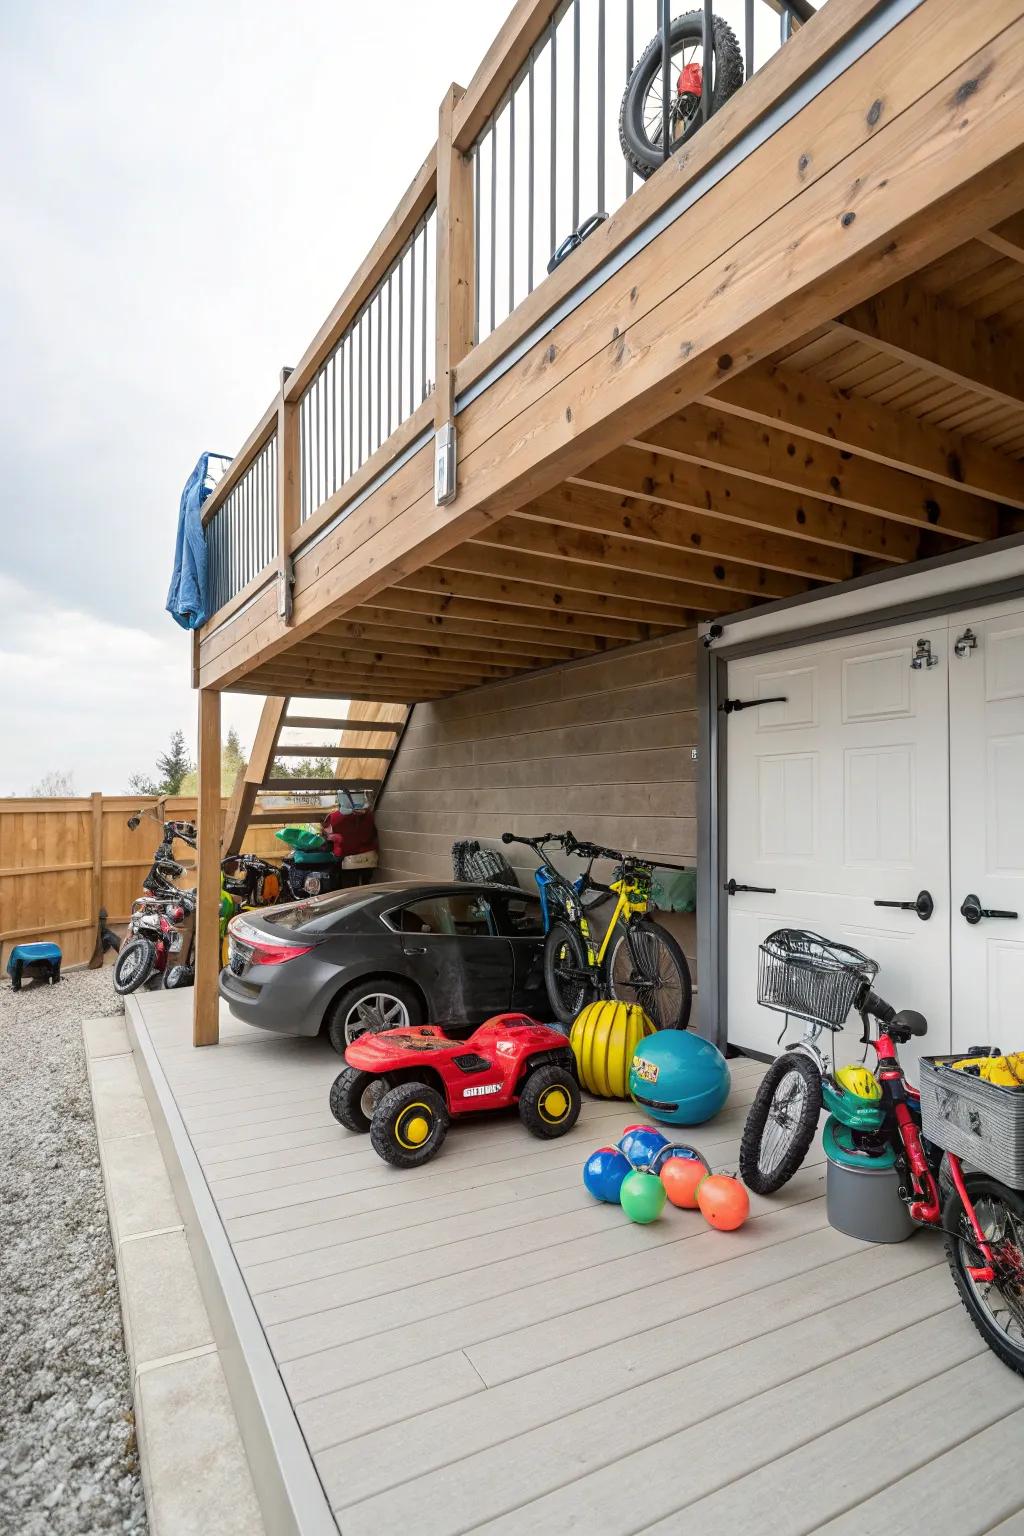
(385, 958)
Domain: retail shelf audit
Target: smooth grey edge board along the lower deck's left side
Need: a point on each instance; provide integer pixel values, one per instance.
(291, 1494)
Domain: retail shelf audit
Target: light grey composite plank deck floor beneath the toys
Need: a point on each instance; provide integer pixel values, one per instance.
(480, 1346)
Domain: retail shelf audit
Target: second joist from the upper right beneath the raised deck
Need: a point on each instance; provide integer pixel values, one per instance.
(919, 328)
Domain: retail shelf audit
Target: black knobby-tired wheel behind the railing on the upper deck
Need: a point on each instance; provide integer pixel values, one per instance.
(641, 111)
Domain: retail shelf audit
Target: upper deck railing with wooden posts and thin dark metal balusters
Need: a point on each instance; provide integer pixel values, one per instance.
(527, 151)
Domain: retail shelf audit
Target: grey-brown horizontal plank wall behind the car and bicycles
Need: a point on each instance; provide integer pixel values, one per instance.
(601, 746)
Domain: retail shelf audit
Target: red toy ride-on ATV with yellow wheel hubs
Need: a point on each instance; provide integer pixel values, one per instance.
(406, 1085)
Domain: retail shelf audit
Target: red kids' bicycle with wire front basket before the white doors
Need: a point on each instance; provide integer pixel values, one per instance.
(928, 1137)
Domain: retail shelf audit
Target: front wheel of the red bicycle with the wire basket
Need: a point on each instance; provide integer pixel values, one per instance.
(781, 1124)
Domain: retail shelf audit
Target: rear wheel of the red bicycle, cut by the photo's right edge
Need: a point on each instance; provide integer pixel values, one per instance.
(996, 1308)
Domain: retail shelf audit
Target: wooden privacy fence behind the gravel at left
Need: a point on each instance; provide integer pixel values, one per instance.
(62, 861)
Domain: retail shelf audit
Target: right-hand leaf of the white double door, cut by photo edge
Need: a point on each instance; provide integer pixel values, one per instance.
(986, 689)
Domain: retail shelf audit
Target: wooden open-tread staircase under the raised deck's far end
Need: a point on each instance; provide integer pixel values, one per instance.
(366, 744)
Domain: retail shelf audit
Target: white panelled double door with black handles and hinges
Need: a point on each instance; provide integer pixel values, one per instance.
(877, 781)
